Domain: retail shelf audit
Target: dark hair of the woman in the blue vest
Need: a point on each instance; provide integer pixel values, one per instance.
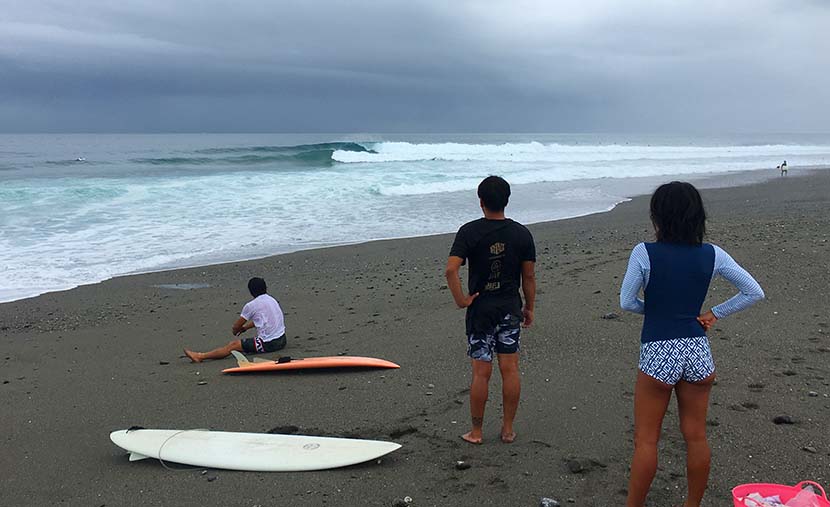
(677, 213)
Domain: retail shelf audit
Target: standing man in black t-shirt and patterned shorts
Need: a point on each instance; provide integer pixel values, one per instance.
(502, 259)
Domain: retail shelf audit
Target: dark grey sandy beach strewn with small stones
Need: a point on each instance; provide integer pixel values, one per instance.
(81, 363)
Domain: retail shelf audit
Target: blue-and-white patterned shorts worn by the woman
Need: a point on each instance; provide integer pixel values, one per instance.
(670, 361)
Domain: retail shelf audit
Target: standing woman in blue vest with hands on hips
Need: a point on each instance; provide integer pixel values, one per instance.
(675, 272)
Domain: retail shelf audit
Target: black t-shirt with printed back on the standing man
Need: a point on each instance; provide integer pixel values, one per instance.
(495, 250)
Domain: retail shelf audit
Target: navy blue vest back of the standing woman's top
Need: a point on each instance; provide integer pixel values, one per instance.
(678, 281)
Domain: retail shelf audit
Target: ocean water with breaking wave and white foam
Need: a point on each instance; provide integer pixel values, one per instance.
(77, 209)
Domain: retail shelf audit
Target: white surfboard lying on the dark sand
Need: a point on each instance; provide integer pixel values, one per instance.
(255, 452)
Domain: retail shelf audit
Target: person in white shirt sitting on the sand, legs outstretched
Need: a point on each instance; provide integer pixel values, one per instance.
(264, 313)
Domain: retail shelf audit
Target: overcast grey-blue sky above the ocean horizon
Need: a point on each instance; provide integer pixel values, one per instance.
(414, 66)
